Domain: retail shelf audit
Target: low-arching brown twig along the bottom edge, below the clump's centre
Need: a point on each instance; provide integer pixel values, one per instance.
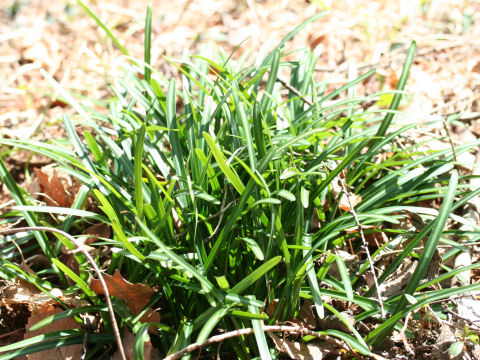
(249, 331)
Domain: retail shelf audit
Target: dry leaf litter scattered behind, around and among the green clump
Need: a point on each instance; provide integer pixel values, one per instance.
(444, 79)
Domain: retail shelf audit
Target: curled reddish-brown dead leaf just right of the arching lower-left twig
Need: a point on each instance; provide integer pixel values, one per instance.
(135, 296)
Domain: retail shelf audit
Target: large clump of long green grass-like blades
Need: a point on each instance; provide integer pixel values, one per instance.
(230, 197)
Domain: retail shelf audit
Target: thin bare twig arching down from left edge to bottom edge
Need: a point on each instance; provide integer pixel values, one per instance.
(95, 268)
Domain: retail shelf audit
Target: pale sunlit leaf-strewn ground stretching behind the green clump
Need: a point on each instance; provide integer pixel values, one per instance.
(58, 37)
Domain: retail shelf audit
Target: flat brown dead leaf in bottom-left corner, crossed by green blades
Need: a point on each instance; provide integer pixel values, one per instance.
(60, 353)
